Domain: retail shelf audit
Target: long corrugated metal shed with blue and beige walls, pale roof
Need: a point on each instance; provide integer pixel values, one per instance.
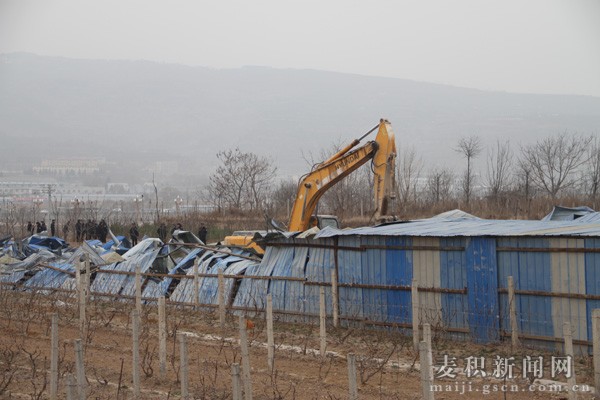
(461, 264)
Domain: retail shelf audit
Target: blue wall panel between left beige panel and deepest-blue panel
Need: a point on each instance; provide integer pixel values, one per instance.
(453, 275)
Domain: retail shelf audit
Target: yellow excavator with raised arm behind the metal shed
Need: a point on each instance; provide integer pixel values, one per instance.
(312, 186)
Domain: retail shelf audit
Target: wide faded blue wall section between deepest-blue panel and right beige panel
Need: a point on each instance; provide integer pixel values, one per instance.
(531, 271)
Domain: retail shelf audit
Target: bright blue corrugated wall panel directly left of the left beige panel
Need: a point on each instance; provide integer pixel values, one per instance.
(399, 271)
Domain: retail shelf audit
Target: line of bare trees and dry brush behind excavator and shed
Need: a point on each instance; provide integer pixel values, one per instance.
(563, 168)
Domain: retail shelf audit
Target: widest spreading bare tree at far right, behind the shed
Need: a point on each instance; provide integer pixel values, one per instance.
(553, 161)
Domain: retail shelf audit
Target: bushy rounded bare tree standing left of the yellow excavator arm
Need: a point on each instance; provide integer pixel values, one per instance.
(241, 179)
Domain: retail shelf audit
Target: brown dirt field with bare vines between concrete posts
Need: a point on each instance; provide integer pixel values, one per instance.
(387, 366)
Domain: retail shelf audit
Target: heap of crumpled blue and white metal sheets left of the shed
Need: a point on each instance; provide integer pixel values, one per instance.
(47, 263)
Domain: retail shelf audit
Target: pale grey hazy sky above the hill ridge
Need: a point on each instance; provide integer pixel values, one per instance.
(540, 46)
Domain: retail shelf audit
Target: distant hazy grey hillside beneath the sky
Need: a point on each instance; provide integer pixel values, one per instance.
(151, 111)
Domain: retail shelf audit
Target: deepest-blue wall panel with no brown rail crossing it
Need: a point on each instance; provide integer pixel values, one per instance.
(482, 284)
